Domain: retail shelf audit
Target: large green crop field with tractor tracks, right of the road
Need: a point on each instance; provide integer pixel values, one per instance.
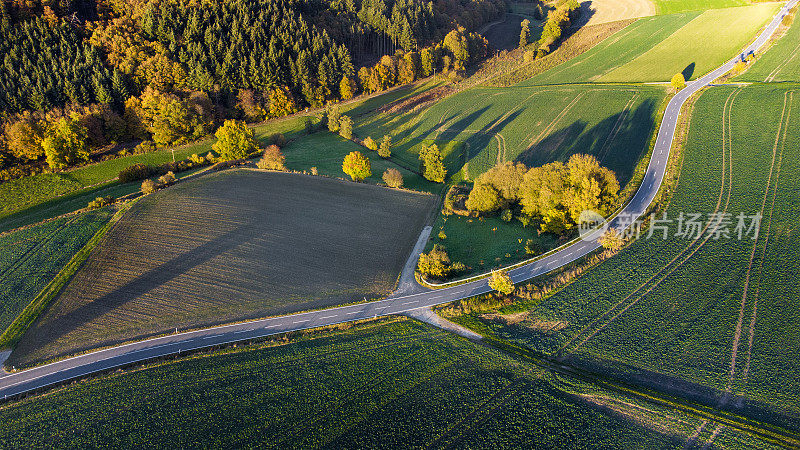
(711, 317)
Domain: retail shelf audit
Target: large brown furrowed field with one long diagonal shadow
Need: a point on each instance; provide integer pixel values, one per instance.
(231, 246)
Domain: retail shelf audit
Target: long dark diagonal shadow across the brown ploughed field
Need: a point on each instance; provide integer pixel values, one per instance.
(51, 330)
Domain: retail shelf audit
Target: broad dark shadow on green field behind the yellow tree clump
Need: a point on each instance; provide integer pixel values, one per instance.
(618, 141)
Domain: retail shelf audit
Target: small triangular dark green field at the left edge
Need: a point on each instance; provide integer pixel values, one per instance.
(30, 258)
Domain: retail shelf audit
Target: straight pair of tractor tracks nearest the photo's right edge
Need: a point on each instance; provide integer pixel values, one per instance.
(780, 142)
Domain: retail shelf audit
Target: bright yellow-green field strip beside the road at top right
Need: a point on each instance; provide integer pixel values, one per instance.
(703, 44)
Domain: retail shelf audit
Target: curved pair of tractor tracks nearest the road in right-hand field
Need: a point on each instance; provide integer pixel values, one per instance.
(661, 275)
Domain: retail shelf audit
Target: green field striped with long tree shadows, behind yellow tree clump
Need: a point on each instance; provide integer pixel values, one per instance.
(534, 125)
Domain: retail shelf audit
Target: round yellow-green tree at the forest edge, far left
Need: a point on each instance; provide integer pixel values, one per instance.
(65, 143)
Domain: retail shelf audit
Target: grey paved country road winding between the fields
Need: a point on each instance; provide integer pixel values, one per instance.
(20, 382)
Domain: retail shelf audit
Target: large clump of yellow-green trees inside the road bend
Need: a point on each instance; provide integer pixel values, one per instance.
(555, 194)
